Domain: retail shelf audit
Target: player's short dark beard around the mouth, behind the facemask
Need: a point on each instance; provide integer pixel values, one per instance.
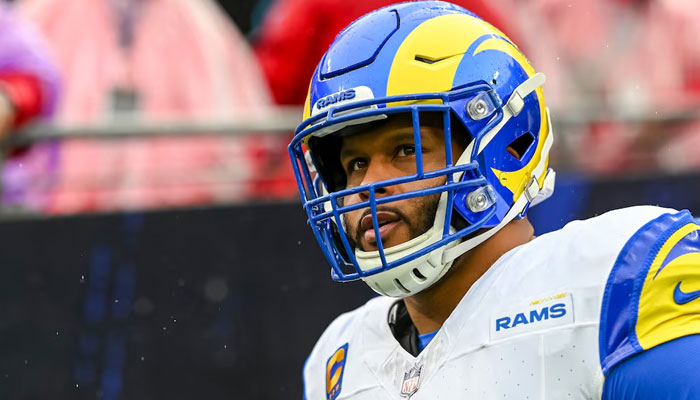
(424, 210)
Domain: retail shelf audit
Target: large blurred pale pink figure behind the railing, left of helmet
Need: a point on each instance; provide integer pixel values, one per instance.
(159, 61)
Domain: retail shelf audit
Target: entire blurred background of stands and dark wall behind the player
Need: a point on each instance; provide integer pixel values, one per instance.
(153, 241)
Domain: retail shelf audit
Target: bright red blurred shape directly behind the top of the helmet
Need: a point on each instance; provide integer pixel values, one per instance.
(296, 33)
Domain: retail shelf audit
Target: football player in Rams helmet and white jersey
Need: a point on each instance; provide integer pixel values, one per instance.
(424, 143)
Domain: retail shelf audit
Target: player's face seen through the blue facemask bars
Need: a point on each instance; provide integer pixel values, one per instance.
(385, 153)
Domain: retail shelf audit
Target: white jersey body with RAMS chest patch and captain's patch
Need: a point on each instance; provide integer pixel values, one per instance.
(527, 329)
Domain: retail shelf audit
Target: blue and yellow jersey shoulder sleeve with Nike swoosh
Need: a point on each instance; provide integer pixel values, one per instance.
(652, 295)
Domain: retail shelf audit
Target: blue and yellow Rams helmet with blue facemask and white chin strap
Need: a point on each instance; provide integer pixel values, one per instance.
(416, 58)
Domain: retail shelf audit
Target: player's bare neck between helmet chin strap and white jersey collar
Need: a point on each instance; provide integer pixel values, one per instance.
(430, 308)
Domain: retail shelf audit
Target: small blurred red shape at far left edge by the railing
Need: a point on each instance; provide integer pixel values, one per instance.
(24, 92)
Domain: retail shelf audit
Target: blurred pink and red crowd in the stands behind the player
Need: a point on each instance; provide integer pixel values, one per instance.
(629, 69)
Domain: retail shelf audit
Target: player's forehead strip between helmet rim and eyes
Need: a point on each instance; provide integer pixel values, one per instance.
(394, 130)
